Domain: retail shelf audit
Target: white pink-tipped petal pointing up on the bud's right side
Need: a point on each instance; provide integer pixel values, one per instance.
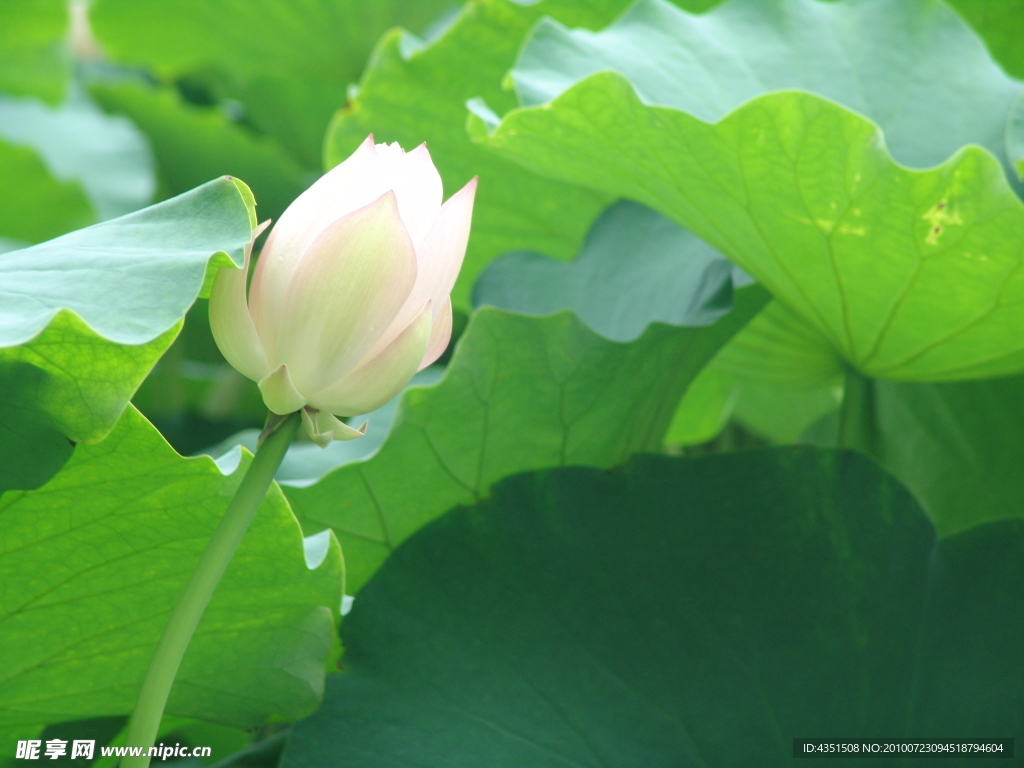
(439, 261)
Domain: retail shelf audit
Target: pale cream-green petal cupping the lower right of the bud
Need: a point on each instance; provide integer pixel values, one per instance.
(378, 379)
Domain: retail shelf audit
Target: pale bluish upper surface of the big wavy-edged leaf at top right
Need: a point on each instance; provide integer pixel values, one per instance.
(911, 66)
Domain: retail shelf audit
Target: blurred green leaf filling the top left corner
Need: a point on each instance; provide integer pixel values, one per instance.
(33, 59)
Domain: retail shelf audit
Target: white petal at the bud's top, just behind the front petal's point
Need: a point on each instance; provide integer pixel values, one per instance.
(417, 185)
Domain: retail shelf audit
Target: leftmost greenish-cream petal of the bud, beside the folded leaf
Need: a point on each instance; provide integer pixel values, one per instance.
(230, 320)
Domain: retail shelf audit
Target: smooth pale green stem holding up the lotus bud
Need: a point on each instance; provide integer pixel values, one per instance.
(220, 550)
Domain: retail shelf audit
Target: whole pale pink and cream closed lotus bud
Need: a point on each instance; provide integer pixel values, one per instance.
(351, 295)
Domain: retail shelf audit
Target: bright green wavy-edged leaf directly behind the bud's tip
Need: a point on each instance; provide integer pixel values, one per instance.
(419, 95)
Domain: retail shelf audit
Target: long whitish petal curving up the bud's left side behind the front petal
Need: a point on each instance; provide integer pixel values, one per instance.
(349, 187)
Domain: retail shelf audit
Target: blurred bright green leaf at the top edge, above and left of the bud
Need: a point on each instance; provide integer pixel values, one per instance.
(288, 63)
